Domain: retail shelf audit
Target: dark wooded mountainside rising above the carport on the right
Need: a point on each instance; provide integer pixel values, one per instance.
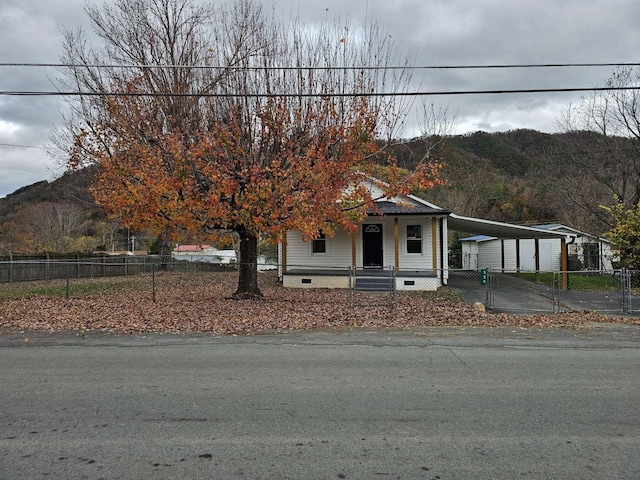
(529, 177)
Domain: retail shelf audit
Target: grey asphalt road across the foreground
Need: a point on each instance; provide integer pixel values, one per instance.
(425, 403)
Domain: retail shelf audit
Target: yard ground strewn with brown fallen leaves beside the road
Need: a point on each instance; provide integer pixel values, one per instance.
(199, 302)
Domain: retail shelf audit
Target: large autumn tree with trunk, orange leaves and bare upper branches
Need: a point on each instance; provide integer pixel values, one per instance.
(204, 119)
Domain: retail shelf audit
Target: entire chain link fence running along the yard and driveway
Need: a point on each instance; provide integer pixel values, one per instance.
(608, 292)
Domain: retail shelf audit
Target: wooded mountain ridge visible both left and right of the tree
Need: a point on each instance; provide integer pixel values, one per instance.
(520, 176)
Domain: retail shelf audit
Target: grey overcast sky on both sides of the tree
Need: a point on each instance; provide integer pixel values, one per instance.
(441, 32)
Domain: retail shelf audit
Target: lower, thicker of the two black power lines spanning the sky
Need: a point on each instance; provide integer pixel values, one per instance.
(27, 93)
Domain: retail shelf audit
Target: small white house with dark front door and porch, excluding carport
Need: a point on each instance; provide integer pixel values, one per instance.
(403, 242)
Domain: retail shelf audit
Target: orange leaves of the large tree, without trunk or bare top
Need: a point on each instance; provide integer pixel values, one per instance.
(286, 167)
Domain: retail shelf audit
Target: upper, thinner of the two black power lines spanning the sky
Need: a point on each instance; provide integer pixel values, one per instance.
(310, 68)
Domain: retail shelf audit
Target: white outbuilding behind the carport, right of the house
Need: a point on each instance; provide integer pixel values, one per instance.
(581, 250)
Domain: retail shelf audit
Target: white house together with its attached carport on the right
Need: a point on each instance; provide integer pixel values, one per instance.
(403, 244)
